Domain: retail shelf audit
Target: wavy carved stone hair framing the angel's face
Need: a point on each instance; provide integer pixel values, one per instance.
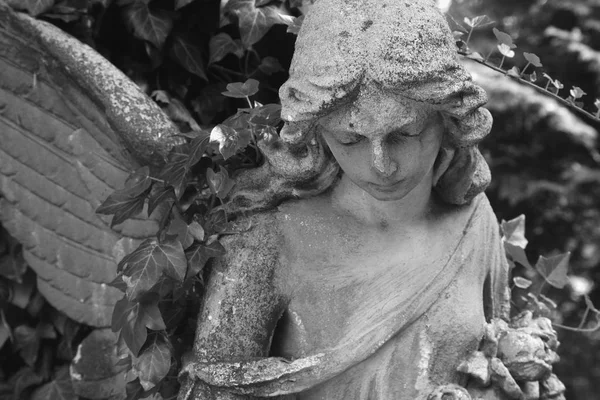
(403, 46)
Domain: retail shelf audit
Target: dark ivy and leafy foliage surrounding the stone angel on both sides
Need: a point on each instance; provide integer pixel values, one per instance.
(215, 67)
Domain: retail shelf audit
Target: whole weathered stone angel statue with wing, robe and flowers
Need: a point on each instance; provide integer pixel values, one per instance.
(373, 267)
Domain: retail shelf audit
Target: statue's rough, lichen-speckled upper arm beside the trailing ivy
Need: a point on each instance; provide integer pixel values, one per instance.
(241, 307)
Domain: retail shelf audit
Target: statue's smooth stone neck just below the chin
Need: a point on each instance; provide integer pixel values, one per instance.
(414, 208)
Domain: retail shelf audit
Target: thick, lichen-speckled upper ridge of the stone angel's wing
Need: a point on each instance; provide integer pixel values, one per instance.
(145, 129)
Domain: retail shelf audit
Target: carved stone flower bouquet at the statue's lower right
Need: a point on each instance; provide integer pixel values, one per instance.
(516, 359)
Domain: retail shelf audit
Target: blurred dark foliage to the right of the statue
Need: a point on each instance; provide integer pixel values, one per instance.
(551, 178)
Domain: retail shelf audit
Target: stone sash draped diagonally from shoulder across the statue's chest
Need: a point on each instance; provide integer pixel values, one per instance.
(277, 376)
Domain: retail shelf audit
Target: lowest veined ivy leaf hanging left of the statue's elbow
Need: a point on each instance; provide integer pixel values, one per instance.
(153, 364)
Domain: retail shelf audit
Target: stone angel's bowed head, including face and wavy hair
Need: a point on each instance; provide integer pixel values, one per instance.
(380, 82)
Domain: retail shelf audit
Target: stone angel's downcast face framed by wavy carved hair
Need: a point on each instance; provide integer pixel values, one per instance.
(387, 145)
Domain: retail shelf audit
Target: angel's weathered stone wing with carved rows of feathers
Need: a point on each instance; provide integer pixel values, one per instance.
(62, 152)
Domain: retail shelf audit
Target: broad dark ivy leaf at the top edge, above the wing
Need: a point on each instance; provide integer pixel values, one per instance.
(153, 26)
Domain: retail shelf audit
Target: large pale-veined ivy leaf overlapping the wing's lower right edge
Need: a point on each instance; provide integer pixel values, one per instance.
(144, 267)
